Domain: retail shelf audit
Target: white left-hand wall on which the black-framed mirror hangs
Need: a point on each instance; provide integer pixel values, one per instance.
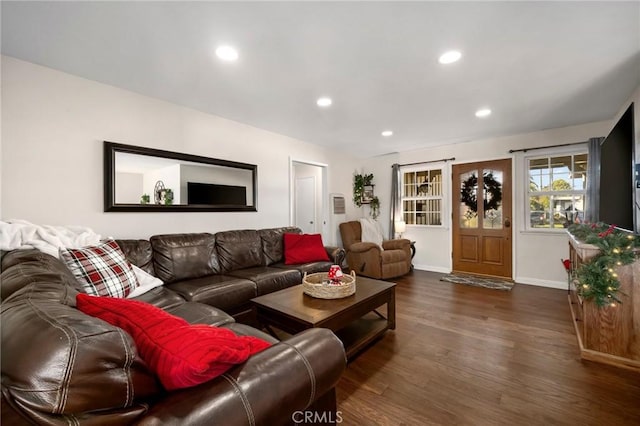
(53, 126)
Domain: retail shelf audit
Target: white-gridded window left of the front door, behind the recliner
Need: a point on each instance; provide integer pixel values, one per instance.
(422, 202)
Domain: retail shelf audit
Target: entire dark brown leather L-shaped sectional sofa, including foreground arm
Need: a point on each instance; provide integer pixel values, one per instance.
(60, 366)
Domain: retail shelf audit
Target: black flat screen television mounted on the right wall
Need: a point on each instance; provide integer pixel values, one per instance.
(617, 203)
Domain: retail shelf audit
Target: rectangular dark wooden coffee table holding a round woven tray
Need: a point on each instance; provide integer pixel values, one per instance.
(355, 319)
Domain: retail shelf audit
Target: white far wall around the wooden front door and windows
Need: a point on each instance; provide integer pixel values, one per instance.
(536, 255)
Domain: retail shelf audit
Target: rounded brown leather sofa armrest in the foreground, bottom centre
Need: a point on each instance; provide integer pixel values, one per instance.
(267, 389)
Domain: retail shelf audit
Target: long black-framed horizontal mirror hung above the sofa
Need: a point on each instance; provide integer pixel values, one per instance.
(139, 179)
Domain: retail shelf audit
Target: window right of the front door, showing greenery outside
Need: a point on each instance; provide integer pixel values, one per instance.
(556, 193)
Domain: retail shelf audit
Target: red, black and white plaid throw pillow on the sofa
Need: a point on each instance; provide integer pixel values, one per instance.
(102, 270)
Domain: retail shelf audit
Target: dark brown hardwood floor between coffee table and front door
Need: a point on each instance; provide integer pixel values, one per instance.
(474, 356)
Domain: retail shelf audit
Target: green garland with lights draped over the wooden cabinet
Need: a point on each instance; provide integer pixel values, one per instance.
(597, 279)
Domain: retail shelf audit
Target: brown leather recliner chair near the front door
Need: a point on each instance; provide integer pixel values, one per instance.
(367, 259)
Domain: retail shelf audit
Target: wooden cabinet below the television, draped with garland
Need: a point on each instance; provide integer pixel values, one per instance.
(608, 334)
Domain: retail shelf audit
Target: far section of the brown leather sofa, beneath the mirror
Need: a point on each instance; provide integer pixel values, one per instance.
(225, 270)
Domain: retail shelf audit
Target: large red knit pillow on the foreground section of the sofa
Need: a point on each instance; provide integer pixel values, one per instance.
(181, 354)
